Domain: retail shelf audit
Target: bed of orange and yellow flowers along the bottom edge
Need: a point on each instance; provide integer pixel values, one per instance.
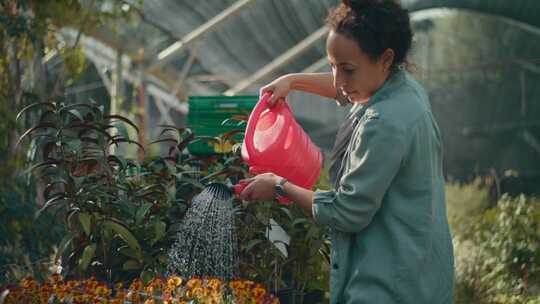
(158, 290)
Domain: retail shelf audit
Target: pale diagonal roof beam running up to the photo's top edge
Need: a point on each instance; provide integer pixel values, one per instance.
(179, 46)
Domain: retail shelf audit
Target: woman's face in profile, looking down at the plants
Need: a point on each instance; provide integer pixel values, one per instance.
(355, 73)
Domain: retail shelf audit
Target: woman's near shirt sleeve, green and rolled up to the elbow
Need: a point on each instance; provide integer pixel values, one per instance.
(379, 149)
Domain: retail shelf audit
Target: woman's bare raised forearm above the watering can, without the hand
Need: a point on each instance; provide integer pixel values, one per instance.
(316, 83)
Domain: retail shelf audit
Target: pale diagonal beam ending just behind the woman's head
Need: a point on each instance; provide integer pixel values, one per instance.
(279, 62)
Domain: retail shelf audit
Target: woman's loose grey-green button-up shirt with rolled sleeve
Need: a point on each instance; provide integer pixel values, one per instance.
(390, 237)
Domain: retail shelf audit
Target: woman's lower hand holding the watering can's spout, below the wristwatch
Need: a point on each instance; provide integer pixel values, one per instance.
(260, 187)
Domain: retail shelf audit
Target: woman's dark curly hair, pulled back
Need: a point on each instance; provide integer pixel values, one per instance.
(375, 25)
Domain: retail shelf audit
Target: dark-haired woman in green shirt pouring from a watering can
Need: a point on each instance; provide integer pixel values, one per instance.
(387, 214)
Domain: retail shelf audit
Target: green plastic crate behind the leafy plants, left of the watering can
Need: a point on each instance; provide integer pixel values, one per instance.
(207, 115)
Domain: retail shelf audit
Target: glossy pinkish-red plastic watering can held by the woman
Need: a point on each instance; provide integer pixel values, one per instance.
(275, 142)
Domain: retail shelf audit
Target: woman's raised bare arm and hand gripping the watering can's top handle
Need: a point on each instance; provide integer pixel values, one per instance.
(317, 83)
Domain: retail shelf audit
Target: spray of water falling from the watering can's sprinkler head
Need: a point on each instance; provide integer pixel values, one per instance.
(206, 242)
